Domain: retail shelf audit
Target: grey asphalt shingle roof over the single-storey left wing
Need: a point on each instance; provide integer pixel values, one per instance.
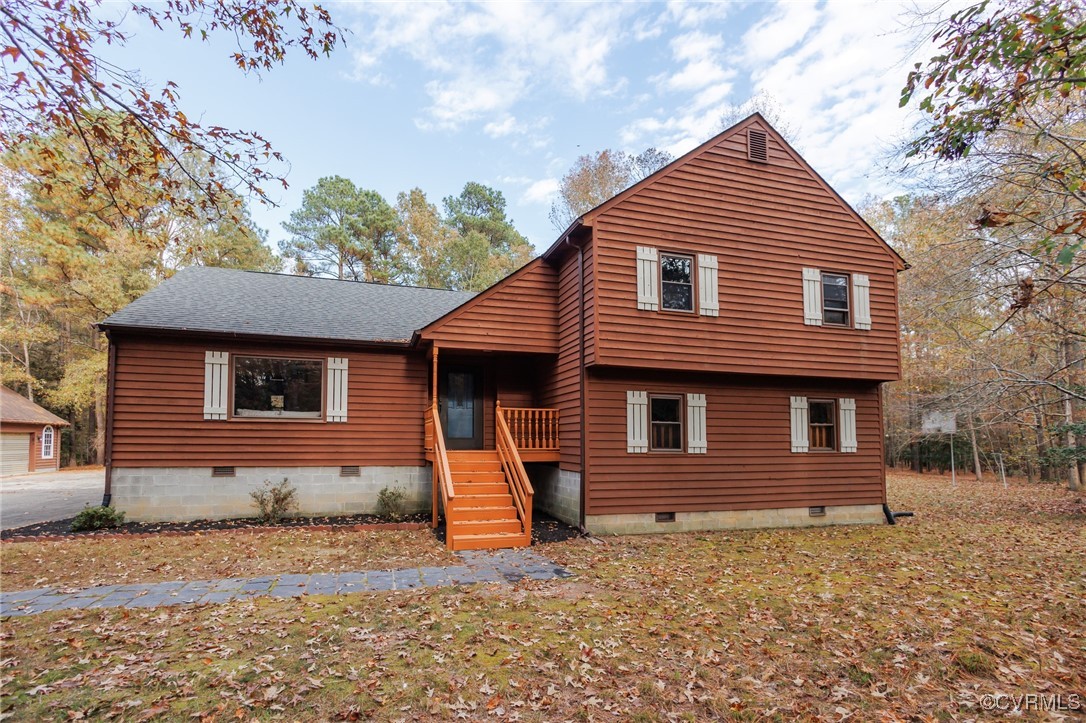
(233, 302)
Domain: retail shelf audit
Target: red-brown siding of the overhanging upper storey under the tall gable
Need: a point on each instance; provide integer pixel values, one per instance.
(765, 223)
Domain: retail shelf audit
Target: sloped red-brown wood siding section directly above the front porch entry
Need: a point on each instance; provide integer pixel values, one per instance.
(517, 315)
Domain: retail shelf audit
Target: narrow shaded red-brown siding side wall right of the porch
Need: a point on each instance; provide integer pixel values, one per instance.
(561, 378)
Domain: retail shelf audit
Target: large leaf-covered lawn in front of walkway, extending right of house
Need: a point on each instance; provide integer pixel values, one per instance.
(982, 593)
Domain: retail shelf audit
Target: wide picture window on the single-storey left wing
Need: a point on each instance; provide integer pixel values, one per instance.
(277, 388)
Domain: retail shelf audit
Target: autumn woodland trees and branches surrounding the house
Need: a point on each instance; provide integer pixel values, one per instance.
(107, 188)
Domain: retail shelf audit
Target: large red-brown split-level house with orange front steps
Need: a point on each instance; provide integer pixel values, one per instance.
(705, 350)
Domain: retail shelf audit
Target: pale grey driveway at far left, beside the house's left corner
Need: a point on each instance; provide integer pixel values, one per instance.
(45, 497)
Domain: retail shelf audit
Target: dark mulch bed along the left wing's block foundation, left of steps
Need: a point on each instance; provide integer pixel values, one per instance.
(62, 529)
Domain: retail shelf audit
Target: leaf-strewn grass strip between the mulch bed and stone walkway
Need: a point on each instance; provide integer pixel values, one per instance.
(87, 562)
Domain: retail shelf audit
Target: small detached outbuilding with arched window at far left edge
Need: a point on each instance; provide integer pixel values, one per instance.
(30, 436)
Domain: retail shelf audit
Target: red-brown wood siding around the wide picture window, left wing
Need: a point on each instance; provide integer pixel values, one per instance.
(158, 417)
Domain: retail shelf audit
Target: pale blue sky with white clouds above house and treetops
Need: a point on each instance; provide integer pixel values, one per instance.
(434, 95)
